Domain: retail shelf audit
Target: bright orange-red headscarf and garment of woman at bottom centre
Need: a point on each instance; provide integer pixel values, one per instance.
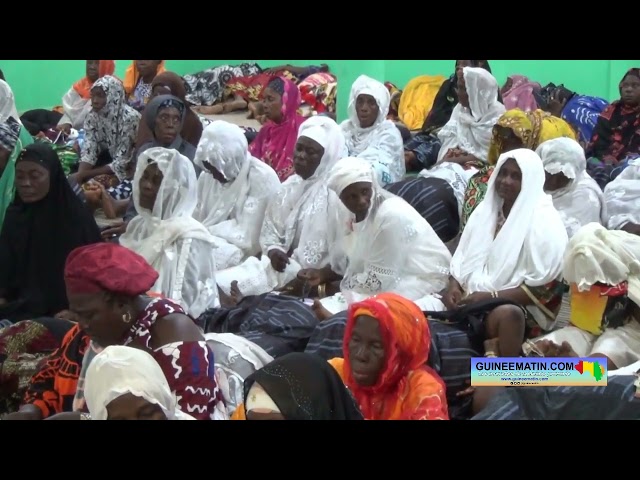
(407, 389)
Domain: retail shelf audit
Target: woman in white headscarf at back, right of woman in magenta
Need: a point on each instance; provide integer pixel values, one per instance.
(368, 133)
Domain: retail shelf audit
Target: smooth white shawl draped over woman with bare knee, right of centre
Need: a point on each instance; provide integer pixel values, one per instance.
(531, 244)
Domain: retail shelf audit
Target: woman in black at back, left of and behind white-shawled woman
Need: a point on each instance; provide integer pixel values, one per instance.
(421, 151)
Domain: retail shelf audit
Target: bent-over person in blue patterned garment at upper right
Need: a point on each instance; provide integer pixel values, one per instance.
(579, 111)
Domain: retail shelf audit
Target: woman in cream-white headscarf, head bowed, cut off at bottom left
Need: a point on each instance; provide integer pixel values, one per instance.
(125, 383)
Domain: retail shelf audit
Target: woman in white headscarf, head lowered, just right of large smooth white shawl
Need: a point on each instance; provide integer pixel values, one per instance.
(576, 196)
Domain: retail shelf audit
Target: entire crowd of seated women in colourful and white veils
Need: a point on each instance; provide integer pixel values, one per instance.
(302, 271)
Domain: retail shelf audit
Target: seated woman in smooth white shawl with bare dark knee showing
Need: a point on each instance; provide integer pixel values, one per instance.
(511, 250)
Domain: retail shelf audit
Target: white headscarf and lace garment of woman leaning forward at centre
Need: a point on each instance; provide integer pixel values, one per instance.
(394, 249)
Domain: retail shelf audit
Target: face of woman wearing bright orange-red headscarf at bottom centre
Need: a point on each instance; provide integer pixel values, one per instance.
(366, 351)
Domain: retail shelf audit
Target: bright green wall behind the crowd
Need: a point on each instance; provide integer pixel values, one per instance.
(41, 83)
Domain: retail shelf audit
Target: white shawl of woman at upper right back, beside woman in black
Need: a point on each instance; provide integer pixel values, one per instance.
(471, 129)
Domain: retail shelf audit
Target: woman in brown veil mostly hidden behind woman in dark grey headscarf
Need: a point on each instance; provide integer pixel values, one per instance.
(170, 83)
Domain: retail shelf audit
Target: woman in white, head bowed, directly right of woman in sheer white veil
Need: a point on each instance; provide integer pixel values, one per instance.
(233, 192)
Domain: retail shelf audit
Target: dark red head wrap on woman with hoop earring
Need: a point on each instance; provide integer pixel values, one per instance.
(108, 267)
